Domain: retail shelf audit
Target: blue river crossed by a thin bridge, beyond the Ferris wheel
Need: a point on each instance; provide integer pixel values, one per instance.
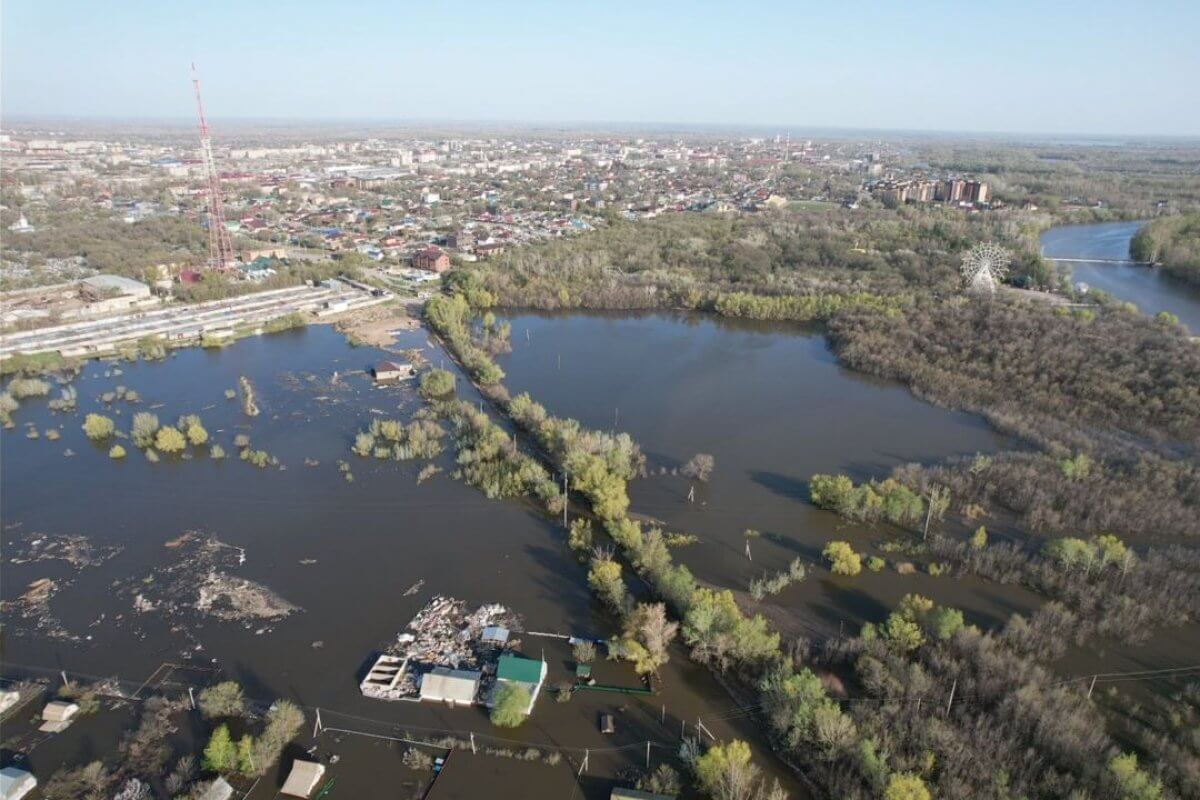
(1149, 288)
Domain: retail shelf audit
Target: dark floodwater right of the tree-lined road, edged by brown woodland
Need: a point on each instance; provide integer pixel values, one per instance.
(773, 407)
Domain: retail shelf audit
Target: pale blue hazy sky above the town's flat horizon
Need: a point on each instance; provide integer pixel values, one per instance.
(1023, 67)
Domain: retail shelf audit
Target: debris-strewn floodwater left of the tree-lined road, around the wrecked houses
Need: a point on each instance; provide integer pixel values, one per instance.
(344, 552)
